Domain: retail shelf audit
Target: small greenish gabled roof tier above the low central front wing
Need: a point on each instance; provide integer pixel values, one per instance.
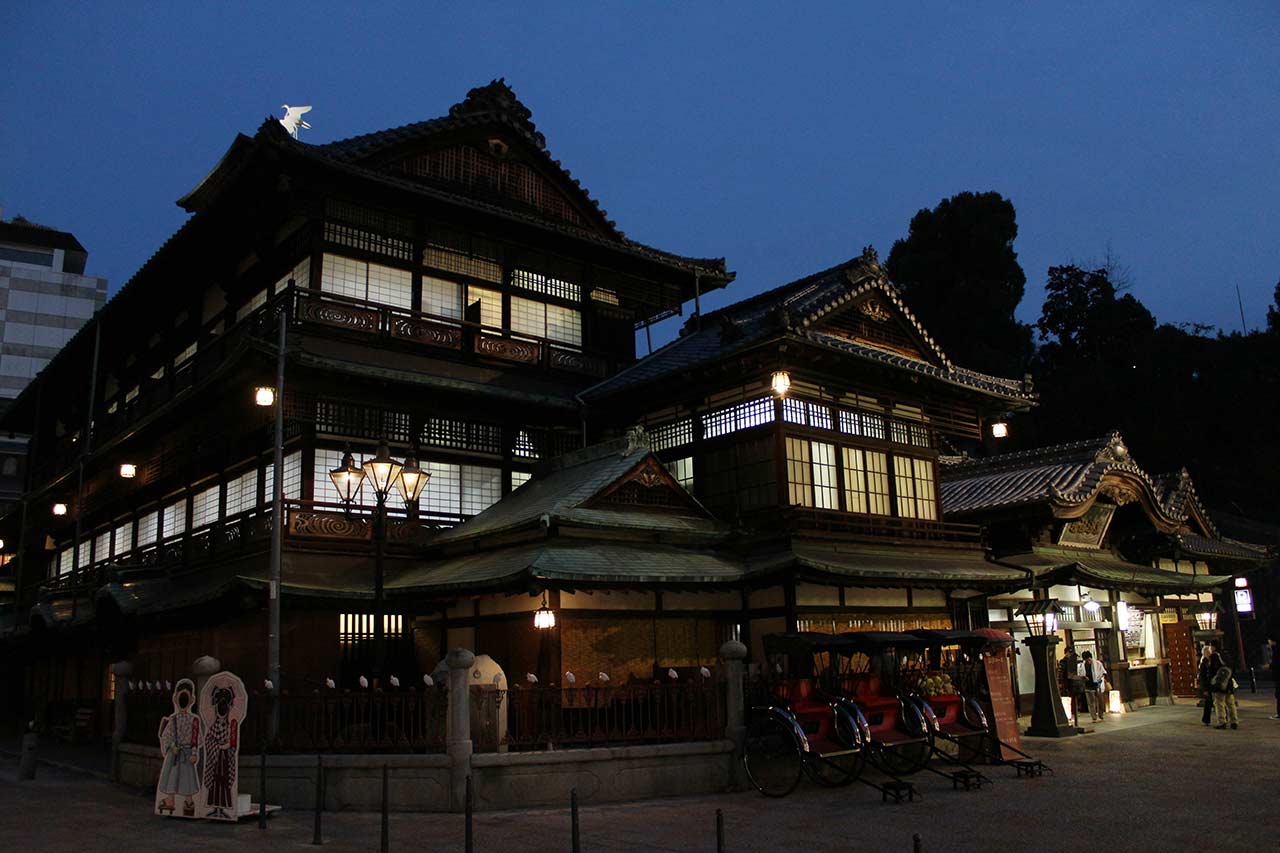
(559, 491)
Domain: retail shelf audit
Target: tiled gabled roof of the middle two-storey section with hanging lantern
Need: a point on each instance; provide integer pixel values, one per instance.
(797, 311)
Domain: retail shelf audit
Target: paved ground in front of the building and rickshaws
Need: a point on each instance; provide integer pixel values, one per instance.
(1155, 781)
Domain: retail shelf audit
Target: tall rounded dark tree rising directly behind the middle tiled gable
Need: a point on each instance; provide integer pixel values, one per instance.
(961, 276)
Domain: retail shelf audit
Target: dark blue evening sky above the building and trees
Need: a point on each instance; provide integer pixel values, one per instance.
(784, 140)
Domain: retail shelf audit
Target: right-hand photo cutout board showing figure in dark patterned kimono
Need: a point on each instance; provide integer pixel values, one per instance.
(223, 705)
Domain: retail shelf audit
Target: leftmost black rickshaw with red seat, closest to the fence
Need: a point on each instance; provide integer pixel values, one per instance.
(802, 727)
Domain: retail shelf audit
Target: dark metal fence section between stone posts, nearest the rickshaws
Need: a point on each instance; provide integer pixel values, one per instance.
(591, 717)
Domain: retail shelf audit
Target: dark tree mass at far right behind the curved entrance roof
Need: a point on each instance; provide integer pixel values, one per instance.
(1180, 396)
